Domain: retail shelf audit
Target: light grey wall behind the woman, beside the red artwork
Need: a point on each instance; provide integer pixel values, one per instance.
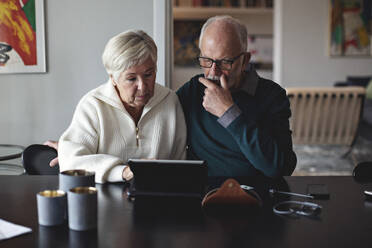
(36, 107)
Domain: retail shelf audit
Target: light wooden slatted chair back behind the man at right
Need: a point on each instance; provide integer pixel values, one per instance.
(327, 115)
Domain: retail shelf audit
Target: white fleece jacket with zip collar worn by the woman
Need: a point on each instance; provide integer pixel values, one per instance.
(103, 136)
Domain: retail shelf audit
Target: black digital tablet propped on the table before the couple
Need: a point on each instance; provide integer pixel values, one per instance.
(186, 178)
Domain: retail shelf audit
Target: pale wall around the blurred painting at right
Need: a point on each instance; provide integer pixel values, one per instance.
(301, 34)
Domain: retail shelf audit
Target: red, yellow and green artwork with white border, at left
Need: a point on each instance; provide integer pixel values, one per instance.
(22, 43)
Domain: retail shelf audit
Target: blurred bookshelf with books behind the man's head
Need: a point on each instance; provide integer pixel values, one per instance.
(189, 15)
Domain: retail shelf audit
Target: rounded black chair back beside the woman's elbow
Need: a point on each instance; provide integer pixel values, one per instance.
(36, 158)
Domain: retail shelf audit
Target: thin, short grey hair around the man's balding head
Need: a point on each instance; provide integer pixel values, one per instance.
(240, 29)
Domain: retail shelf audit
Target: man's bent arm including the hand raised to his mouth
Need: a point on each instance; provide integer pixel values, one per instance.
(267, 144)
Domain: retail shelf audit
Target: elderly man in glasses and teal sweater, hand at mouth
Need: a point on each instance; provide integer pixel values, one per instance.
(236, 121)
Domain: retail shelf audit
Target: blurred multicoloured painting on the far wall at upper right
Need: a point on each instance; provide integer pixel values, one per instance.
(350, 27)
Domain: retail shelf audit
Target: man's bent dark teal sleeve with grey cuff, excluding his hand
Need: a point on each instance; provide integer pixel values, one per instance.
(266, 143)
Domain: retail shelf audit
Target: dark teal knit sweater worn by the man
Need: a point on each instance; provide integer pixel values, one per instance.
(257, 141)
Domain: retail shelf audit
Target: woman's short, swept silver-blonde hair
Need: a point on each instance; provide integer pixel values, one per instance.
(128, 49)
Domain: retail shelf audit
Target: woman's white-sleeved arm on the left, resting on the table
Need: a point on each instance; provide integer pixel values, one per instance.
(78, 147)
